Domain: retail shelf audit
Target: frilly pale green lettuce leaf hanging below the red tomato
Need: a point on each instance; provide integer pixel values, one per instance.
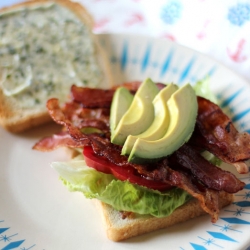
(121, 195)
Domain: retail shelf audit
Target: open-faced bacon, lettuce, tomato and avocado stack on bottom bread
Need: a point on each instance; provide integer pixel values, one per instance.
(141, 185)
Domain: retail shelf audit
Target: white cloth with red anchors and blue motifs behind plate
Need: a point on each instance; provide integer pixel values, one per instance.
(219, 29)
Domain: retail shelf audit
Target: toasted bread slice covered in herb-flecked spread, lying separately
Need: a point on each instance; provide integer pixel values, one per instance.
(39, 79)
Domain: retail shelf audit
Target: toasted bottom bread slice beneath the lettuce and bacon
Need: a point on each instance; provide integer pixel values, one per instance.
(119, 229)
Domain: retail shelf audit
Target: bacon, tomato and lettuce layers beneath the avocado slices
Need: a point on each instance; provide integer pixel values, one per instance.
(183, 174)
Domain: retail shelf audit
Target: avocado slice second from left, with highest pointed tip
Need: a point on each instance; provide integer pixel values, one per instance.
(140, 114)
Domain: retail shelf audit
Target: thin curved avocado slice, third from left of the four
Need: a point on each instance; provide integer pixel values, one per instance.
(161, 121)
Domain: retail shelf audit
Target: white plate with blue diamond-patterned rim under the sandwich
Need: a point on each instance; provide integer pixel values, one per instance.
(36, 210)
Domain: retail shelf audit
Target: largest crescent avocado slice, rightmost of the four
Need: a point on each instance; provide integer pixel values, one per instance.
(183, 110)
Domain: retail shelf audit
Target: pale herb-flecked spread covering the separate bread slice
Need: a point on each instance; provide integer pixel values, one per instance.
(45, 48)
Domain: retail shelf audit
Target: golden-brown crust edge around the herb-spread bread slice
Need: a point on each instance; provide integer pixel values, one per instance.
(15, 119)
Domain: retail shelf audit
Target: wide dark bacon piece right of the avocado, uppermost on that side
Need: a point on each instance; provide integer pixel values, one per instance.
(216, 133)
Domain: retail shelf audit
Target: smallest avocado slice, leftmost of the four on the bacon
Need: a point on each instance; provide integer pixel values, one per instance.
(121, 102)
